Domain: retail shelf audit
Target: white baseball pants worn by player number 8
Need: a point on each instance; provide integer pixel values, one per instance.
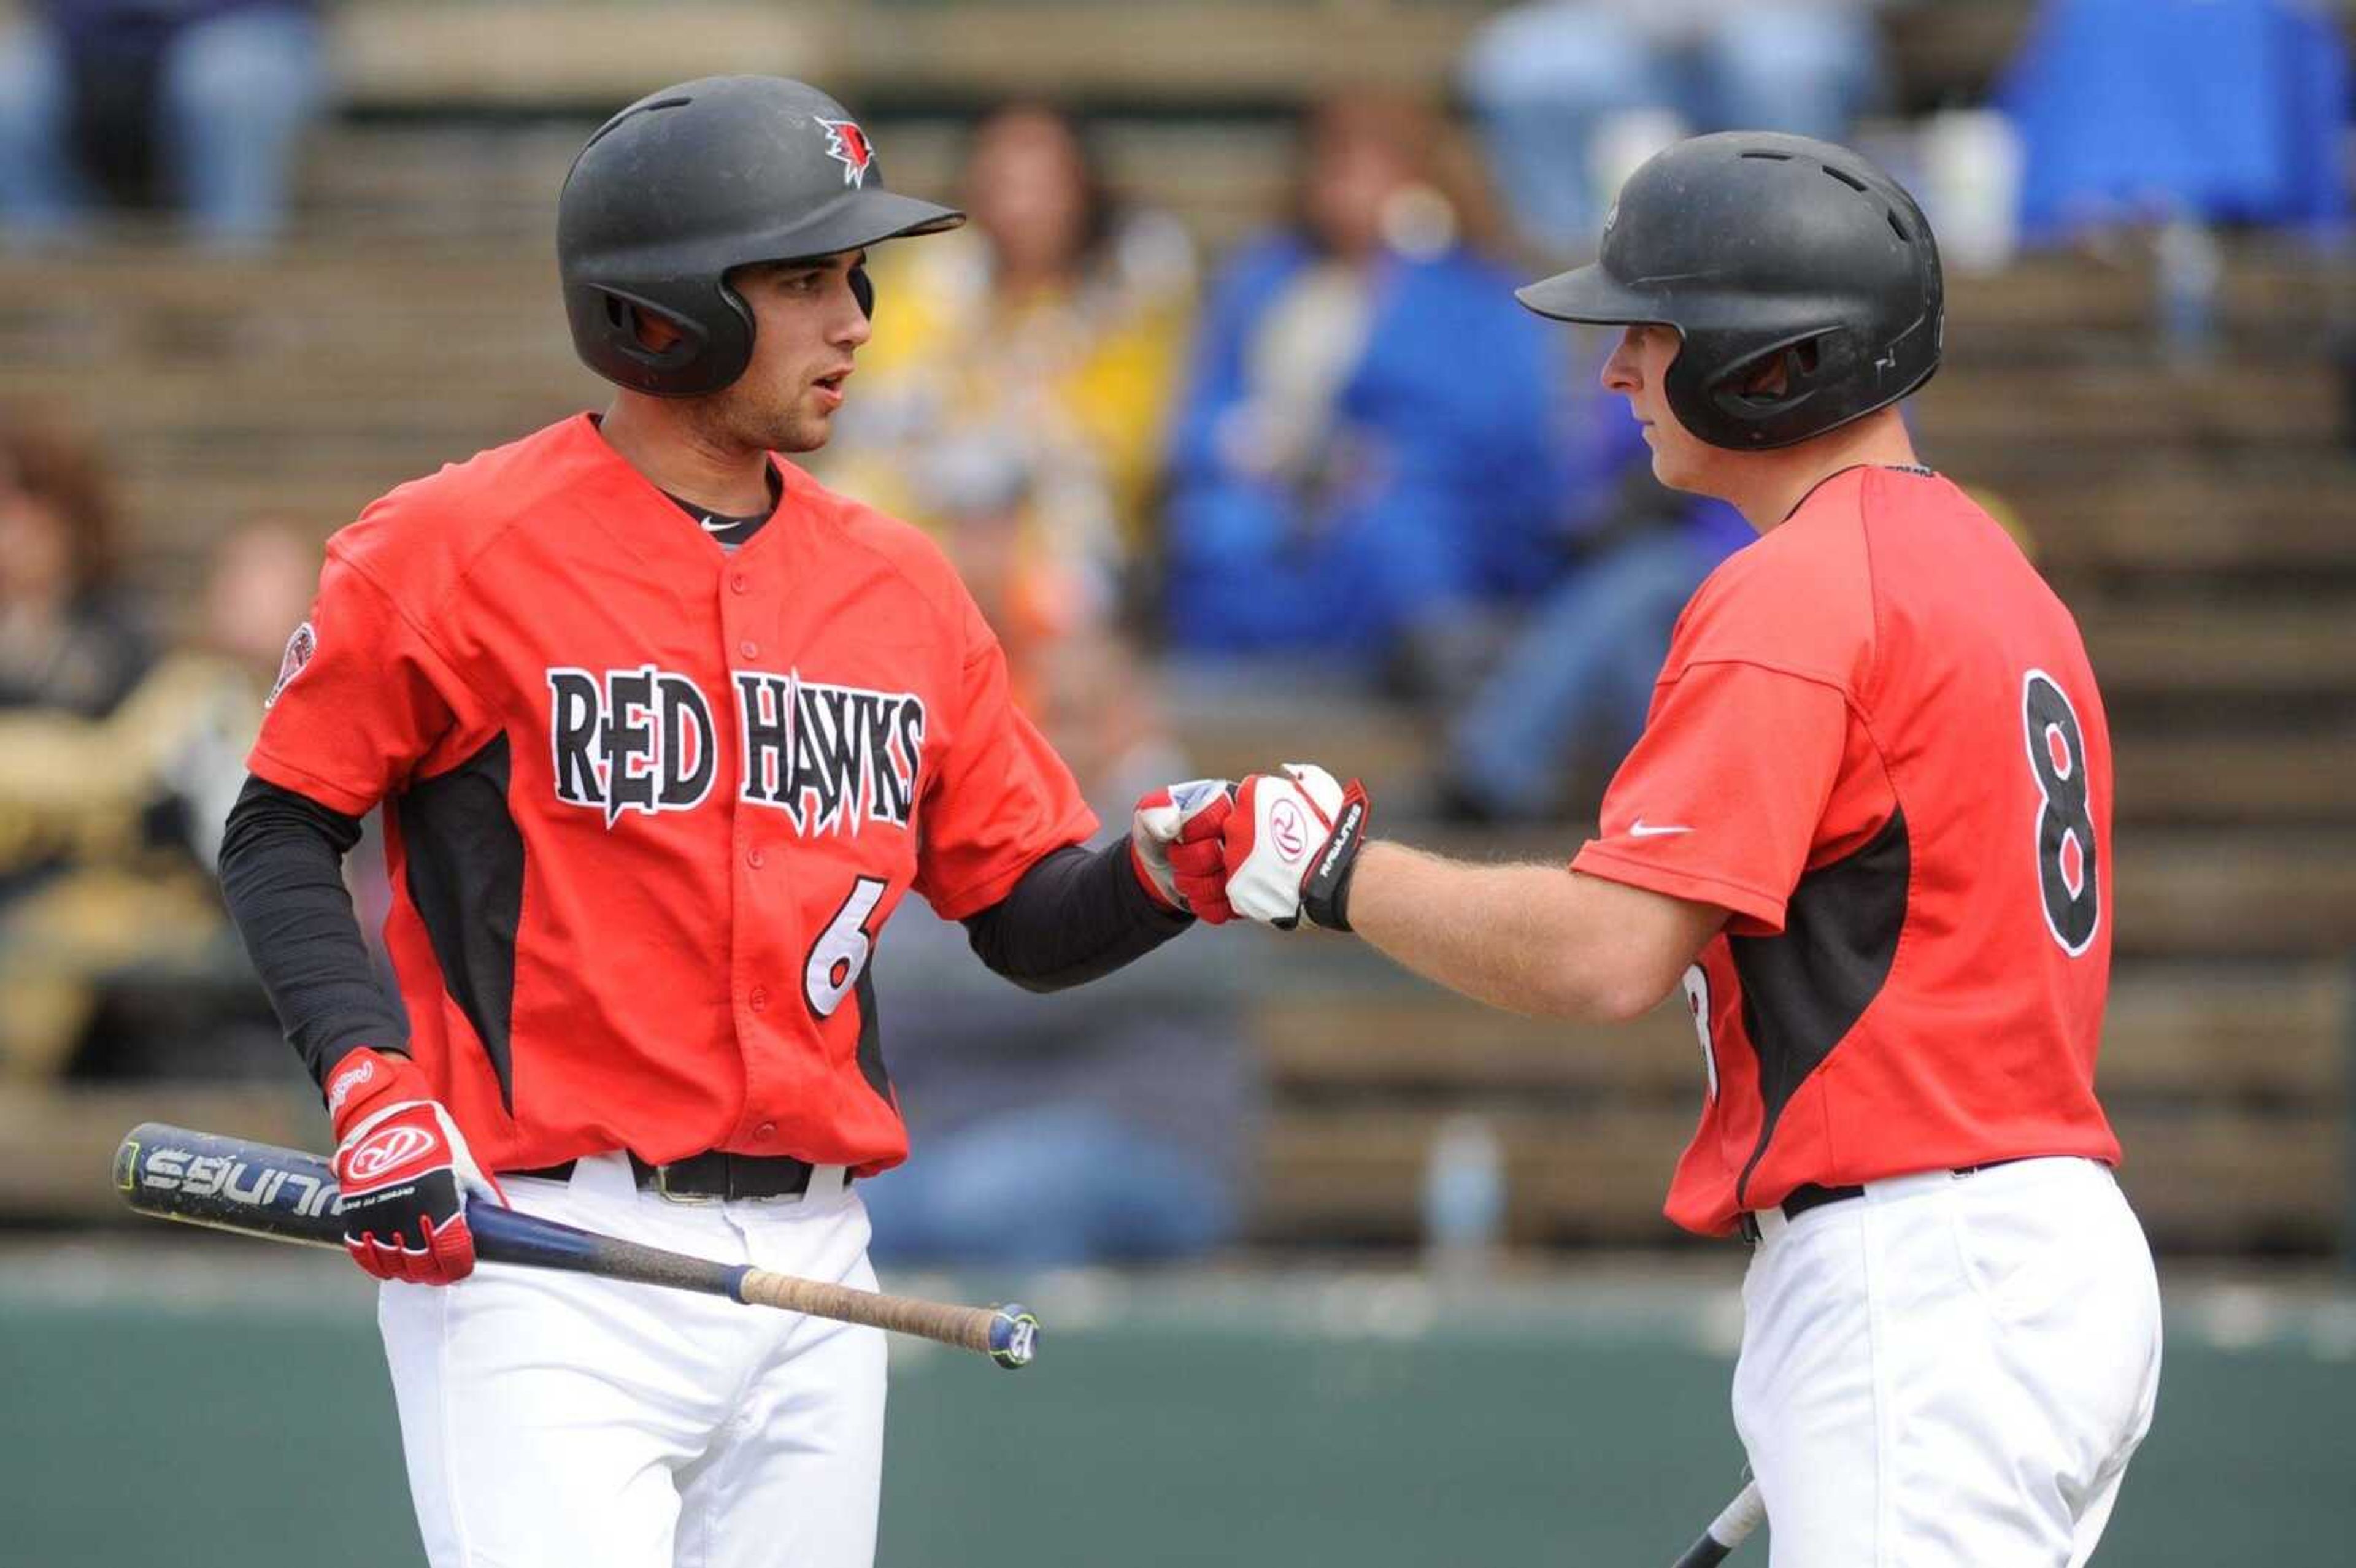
(1950, 1371)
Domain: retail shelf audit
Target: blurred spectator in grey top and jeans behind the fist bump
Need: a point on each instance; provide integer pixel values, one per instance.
(1108, 1124)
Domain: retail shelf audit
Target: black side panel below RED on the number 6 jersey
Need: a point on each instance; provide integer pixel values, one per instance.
(465, 872)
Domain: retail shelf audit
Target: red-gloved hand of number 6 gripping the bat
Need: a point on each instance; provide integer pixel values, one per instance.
(404, 1171)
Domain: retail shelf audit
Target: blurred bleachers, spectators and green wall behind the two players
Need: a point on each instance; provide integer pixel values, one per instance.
(1229, 416)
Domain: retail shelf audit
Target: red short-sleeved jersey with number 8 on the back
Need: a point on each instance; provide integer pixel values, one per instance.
(1879, 745)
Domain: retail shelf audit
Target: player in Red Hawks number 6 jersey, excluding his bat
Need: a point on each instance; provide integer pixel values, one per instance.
(663, 733)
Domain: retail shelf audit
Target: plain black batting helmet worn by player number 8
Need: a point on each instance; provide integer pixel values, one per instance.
(1754, 248)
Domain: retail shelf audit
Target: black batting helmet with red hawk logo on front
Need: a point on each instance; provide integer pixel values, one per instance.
(699, 180)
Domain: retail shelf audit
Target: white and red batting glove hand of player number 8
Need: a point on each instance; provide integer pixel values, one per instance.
(1290, 846)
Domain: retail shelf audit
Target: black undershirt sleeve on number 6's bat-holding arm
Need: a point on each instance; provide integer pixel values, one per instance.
(284, 879)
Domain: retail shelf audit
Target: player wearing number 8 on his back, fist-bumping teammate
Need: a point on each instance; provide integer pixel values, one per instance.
(1869, 832)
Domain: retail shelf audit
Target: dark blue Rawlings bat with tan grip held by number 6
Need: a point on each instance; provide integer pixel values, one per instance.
(289, 1195)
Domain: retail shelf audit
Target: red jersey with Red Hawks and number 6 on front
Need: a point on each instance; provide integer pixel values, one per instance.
(649, 804)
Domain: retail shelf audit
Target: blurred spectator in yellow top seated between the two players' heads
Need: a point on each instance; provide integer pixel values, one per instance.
(1014, 394)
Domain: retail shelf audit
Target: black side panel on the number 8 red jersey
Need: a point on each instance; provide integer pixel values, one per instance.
(1806, 990)
